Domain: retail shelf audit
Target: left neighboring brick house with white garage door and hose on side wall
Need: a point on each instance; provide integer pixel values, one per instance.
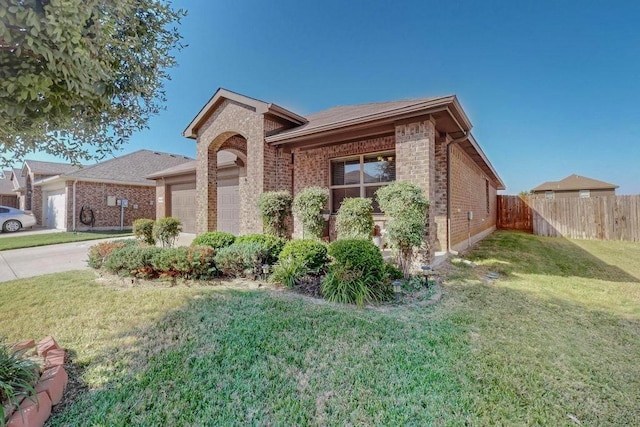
(91, 197)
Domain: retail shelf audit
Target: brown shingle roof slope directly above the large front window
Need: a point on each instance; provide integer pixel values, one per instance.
(344, 114)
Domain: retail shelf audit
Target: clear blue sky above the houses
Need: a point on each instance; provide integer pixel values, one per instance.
(552, 87)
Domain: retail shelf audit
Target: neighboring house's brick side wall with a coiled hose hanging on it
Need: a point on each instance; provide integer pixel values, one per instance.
(94, 195)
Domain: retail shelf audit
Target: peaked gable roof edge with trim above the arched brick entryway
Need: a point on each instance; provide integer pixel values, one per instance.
(221, 94)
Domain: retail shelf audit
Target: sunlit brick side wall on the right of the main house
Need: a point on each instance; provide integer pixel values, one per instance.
(468, 193)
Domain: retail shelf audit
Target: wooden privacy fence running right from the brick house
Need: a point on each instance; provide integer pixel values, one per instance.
(602, 218)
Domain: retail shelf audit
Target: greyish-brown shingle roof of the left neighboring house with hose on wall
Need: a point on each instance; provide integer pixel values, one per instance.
(131, 168)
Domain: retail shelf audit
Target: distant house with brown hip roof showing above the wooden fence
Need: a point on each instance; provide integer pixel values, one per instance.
(574, 186)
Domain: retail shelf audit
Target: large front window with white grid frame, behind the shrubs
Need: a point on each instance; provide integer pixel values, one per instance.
(361, 176)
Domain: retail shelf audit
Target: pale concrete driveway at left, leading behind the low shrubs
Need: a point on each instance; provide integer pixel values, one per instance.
(30, 262)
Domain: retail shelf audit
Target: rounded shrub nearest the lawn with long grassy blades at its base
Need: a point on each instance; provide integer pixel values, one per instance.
(357, 274)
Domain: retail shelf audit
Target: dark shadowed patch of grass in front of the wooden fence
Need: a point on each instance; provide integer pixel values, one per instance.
(509, 252)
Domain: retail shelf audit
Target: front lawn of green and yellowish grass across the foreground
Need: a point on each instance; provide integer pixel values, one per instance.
(555, 339)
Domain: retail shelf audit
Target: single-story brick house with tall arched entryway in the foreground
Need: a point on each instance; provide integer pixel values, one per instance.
(352, 151)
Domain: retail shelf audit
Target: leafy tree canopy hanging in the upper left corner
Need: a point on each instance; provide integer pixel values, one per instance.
(79, 77)
